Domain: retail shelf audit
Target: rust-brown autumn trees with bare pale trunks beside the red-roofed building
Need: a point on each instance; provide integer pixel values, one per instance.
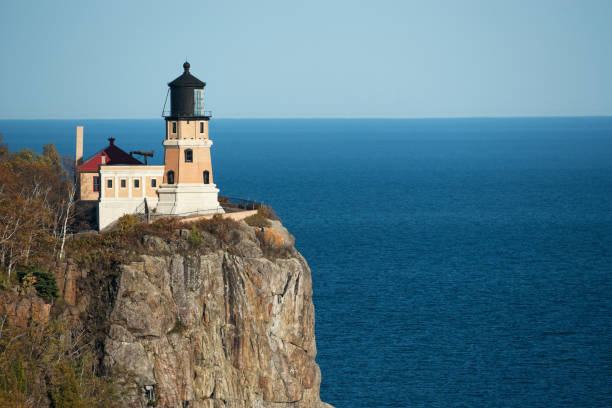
(36, 199)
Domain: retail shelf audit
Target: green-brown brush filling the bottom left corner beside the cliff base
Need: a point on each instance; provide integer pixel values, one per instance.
(50, 365)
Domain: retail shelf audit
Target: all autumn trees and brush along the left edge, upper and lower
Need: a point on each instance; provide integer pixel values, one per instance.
(53, 364)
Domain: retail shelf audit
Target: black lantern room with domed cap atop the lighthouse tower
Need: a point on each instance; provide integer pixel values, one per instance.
(187, 97)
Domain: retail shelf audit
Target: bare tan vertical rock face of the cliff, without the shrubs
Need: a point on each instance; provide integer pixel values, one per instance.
(228, 328)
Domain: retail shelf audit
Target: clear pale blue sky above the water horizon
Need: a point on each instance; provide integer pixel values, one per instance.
(113, 59)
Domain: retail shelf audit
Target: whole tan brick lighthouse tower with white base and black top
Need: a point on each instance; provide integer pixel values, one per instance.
(188, 179)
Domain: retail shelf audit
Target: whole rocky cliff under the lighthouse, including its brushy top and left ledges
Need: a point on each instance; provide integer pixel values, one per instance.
(218, 315)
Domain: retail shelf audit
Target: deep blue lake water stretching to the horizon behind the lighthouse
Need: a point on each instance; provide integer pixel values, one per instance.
(456, 263)
